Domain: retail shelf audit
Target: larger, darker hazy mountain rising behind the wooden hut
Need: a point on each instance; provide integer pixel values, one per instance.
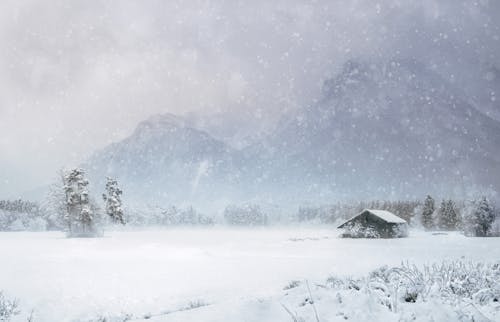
(395, 128)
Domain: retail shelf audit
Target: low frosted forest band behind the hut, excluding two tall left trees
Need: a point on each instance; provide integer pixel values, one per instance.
(476, 217)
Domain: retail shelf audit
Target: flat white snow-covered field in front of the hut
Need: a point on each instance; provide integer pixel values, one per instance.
(231, 274)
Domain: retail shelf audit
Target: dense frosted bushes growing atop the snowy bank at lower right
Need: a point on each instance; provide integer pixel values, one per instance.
(451, 282)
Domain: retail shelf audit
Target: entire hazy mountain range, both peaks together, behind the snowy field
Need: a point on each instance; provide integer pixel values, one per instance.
(393, 129)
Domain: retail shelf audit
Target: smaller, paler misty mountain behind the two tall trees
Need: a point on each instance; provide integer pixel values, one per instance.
(164, 159)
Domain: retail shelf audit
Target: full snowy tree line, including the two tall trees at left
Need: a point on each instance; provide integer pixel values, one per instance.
(71, 208)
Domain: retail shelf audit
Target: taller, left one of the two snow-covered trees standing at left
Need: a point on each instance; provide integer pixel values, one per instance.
(80, 215)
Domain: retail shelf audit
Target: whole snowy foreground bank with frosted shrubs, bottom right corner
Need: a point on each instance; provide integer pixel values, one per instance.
(448, 291)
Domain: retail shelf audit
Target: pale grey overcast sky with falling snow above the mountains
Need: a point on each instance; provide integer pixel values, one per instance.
(77, 75)
